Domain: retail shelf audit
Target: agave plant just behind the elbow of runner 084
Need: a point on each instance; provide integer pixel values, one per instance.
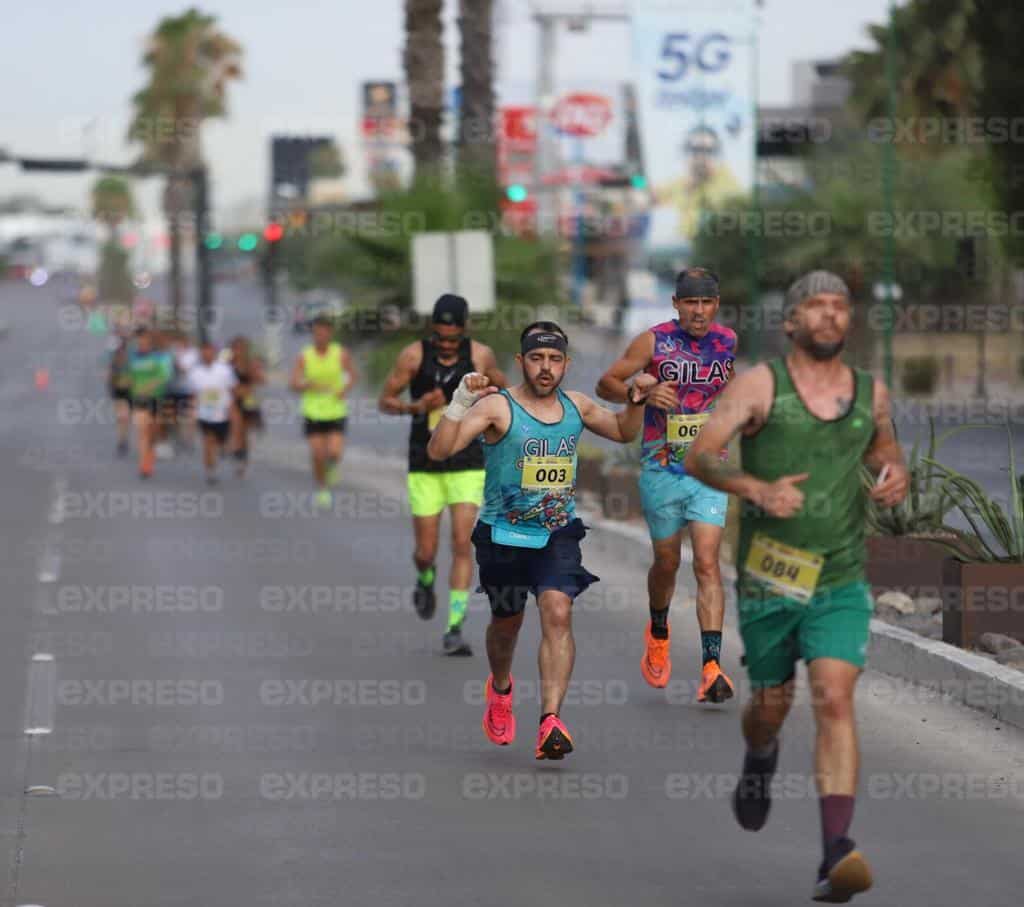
(928, 501)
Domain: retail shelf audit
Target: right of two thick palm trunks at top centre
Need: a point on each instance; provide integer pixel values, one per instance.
(477, 122)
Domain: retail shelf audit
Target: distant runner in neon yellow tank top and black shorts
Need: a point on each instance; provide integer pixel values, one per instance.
(324, 374)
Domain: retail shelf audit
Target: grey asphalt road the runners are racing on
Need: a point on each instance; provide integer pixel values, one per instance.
(248, 712)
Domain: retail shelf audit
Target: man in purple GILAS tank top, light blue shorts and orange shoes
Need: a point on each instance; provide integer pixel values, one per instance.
(693, 359)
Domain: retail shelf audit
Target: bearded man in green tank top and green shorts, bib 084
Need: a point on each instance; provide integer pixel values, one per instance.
(807, 423)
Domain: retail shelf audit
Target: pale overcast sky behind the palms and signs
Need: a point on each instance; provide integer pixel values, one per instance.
(66, 65)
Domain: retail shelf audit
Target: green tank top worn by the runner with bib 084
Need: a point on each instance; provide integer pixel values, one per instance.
(831, 526)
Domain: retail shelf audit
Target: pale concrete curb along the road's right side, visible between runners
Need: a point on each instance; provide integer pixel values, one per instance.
(964, 677)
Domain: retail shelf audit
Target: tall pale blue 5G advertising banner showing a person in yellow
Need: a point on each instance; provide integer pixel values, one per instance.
(694, 64)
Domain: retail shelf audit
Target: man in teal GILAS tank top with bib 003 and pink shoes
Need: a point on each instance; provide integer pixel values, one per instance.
(528, 538)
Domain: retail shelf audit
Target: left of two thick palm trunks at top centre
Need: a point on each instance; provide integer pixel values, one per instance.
(423, 60)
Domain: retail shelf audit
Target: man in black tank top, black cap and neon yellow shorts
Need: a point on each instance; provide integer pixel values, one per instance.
(432, 369)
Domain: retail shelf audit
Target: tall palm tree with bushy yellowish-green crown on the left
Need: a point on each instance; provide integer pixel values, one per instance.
(190, 63)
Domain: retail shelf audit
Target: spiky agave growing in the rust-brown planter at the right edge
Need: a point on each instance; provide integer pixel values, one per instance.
(996, 536)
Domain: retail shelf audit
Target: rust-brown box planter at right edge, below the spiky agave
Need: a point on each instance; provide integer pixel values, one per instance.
(982, 598)
